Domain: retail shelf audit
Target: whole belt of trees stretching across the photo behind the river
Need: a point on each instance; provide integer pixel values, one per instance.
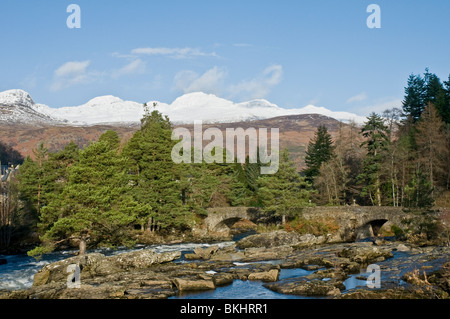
(109, 191)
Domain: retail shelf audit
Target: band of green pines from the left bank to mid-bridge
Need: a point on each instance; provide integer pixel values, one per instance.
(113, 190)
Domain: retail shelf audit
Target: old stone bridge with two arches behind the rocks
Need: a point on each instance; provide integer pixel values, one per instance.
(354, 222)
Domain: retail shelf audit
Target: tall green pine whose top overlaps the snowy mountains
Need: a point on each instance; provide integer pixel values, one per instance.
(157, 180)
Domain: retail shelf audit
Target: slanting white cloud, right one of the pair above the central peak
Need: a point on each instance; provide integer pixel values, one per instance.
(259, 86)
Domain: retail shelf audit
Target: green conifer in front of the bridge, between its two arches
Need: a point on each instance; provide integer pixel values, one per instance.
(285, 193)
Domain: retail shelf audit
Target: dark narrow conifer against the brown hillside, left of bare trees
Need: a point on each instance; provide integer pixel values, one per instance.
(320, 150)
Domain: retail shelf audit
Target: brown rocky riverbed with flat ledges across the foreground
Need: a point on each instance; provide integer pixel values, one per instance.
(406, 271)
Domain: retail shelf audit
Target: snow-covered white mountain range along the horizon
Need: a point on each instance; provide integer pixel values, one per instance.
(188, 108)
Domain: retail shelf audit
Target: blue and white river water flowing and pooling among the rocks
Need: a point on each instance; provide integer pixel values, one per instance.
(19, 271)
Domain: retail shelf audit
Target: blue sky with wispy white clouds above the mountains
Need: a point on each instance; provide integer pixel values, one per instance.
(291, 53)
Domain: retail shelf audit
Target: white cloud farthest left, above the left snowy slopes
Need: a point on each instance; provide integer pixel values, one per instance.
(71, 73)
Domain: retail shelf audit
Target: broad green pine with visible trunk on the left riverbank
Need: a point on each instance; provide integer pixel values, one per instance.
(95, 205)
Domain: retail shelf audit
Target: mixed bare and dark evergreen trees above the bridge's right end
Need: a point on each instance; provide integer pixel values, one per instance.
(398, 158)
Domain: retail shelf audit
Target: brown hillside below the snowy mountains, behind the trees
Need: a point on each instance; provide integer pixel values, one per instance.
(295, 133)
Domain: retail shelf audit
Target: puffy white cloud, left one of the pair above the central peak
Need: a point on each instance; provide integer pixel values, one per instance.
(209, 82)
